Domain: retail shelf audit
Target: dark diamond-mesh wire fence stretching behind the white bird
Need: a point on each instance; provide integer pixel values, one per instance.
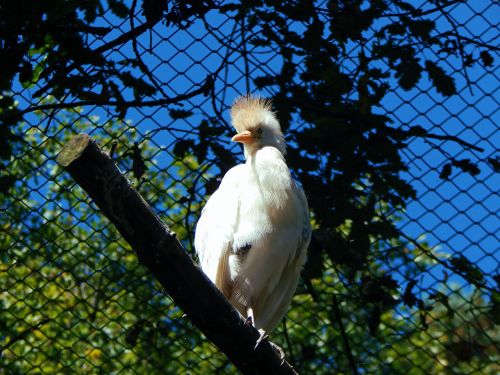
(75, 299)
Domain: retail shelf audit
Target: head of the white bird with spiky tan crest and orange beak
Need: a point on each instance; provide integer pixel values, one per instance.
(256, 125)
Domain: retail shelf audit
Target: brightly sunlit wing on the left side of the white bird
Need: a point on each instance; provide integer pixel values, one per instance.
(215, 230)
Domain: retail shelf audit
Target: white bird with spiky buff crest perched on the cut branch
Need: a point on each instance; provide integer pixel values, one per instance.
(254, 231)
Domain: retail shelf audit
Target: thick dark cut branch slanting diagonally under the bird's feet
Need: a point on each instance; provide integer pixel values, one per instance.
(157, 248)
